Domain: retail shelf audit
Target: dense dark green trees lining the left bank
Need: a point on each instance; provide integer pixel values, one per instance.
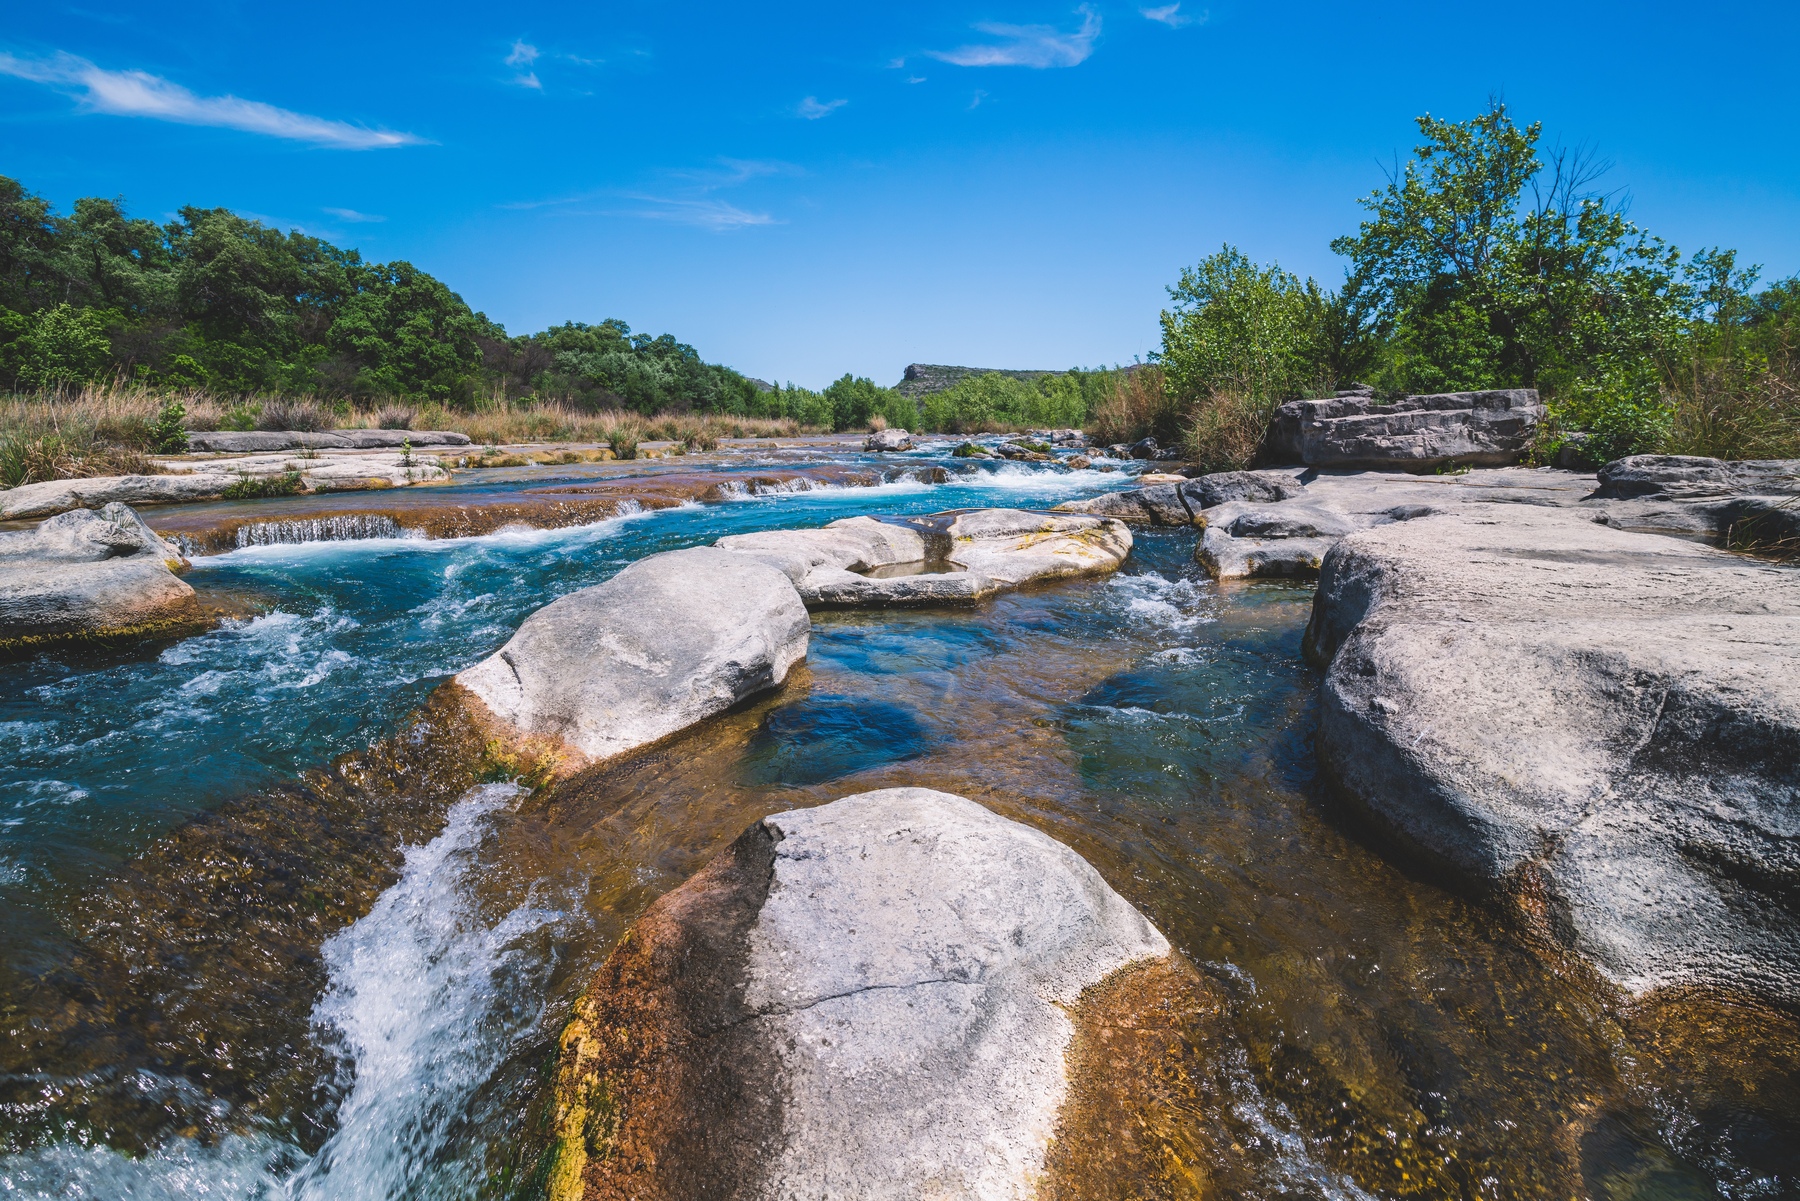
(224, 303)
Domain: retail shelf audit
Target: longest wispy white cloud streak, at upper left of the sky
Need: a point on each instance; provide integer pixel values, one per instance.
(141, 95)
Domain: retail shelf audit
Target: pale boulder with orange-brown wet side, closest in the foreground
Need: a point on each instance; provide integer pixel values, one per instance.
(865, 1000)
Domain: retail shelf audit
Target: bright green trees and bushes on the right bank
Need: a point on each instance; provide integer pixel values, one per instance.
(1489, 262)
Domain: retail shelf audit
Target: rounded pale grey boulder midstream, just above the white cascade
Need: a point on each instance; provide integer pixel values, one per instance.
(669, 642)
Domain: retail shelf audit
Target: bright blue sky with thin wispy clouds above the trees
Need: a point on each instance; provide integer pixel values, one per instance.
(813, 190)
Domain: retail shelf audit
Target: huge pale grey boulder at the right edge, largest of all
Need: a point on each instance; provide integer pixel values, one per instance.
(1603, 727)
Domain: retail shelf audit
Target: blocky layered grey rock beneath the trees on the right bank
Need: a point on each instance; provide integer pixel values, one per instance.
(1414, 435)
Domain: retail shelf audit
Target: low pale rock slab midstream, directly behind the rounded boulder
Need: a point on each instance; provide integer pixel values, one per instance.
(942, 559)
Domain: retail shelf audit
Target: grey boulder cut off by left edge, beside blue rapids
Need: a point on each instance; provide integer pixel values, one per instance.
(89, 575)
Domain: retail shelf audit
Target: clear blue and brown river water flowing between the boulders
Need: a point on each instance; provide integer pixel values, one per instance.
(271, 932)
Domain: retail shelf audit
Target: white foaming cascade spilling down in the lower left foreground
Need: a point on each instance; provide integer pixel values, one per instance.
(426, 1000)
